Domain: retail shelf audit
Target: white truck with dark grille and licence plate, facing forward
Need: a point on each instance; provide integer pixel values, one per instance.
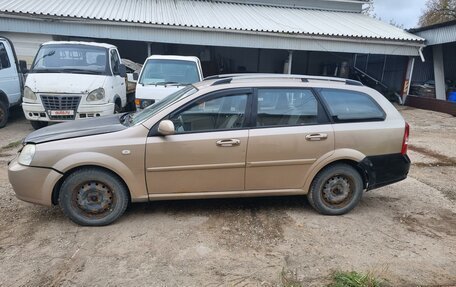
(74, 80)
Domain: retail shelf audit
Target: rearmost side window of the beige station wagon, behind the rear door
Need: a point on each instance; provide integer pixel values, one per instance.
(350, 106)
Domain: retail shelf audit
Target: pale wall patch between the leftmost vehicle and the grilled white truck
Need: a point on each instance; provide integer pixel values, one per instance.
(26, 45)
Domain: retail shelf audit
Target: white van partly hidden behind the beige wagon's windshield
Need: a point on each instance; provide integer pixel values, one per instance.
(163, 75)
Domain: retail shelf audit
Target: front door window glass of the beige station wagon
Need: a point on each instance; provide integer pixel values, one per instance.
(213, 114)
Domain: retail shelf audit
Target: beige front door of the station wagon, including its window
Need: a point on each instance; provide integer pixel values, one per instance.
(207, 152)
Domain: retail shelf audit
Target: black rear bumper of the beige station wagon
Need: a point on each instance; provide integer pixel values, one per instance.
(383, 170)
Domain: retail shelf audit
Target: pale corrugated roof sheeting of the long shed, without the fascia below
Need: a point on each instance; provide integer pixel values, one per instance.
(215, 15)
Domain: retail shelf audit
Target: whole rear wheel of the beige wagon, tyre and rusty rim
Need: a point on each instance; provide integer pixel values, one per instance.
(336, 190)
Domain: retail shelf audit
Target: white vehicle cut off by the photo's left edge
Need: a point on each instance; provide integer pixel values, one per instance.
(11, 79)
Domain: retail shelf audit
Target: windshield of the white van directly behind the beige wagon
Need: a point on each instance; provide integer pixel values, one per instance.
(167, 72)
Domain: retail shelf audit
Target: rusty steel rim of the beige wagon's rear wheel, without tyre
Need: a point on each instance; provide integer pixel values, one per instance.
(338, 191)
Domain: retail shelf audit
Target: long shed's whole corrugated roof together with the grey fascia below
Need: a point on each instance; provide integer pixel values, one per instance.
(215, 24)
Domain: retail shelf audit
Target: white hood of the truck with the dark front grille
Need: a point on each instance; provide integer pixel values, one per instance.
(64, 83)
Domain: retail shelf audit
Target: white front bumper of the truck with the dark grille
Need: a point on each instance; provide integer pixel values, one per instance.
(36, 112)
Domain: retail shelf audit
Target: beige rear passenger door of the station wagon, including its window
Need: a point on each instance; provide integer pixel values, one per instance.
(291, 133)
